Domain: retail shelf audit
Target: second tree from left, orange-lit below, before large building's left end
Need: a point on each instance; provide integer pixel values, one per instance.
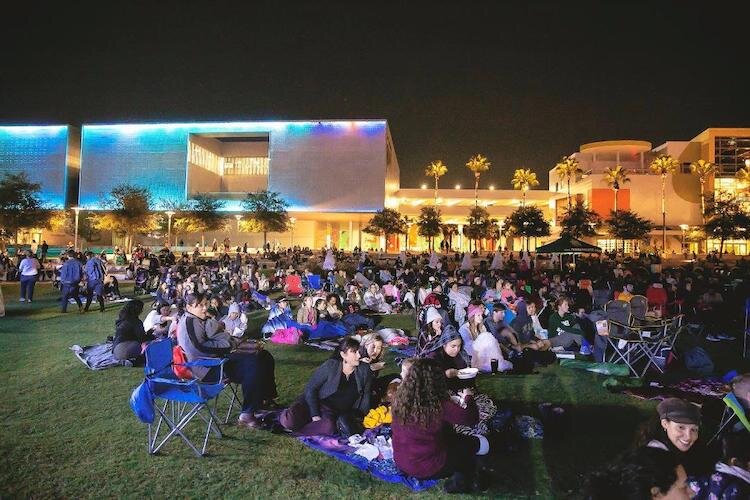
(128, 213)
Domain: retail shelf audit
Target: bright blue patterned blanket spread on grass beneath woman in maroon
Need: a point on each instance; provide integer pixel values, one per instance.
(385, 470)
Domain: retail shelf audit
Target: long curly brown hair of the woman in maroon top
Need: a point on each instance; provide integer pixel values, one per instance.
(419, 398)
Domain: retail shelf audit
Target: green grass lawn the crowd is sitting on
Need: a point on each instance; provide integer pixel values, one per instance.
(69, 432)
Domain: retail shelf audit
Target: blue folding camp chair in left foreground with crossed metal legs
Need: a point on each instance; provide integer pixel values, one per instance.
(183, 400)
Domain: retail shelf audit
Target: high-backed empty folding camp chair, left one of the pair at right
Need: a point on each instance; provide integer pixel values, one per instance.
(628, 342)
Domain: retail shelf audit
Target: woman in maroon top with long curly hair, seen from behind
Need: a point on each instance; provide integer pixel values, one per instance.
(424, 442)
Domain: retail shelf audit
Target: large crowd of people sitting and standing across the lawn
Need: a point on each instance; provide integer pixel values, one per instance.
(507, 317)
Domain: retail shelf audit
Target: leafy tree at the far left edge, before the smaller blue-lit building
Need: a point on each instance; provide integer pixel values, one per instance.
(20, 205)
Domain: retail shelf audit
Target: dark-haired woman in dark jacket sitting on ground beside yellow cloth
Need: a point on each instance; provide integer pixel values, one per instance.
(336, 397)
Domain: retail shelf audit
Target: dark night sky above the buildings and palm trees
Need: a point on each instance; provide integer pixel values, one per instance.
(522, 83)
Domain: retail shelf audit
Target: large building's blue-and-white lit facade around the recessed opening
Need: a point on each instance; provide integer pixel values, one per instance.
(329, 166)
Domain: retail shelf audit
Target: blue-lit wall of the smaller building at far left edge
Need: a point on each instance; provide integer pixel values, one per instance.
(41, 152)
